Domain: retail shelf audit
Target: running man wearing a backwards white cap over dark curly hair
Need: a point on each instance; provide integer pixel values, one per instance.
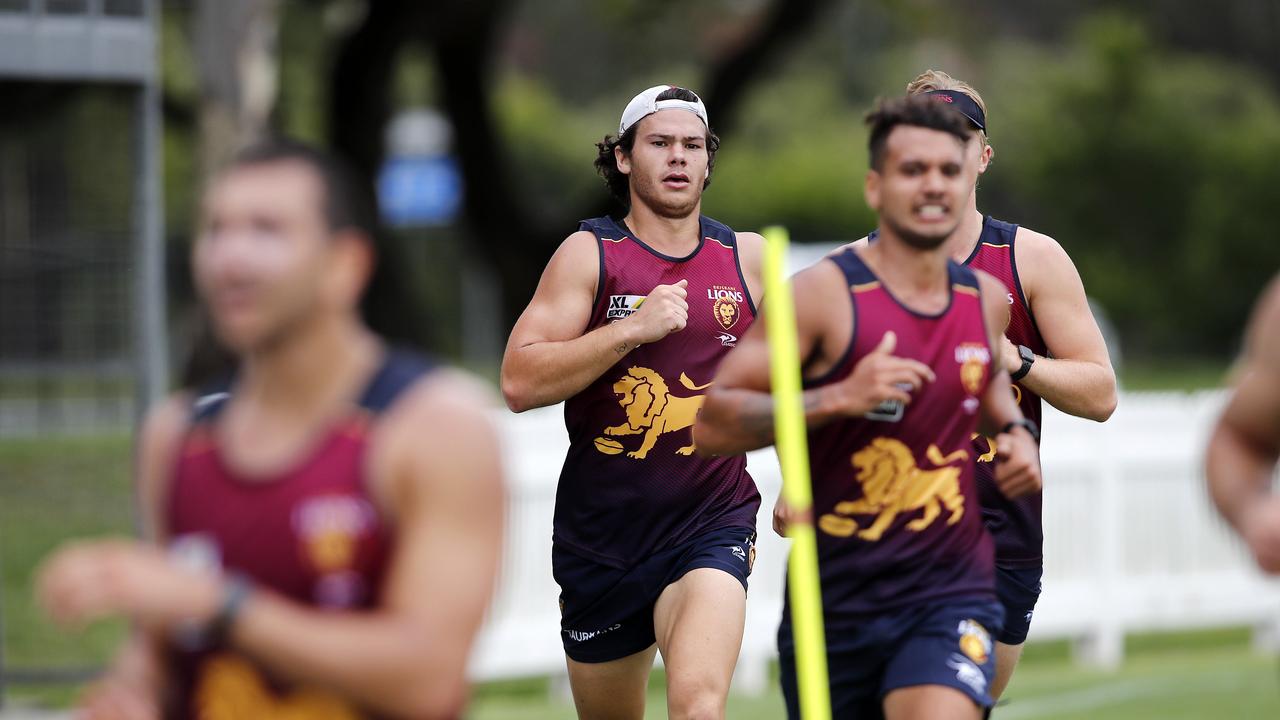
(652, 545)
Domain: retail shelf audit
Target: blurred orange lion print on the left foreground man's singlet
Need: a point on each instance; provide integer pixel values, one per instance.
(231, 689)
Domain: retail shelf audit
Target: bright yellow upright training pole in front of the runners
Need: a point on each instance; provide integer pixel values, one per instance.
(793, 445)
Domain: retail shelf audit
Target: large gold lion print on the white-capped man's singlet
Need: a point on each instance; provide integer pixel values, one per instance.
(652, 411)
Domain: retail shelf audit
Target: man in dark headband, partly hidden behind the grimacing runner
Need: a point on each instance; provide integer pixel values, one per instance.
(1053, 350)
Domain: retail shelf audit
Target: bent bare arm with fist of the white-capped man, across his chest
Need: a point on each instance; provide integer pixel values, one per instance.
(548, 357)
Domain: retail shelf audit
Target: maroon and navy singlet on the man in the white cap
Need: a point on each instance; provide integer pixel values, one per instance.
(632, 484)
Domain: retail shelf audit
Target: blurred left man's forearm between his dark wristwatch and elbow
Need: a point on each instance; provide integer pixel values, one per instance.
(381, 660)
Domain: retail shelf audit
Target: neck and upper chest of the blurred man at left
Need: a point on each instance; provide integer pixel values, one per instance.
(317, 367)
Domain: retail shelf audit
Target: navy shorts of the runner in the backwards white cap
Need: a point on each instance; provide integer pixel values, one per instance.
(607, 613)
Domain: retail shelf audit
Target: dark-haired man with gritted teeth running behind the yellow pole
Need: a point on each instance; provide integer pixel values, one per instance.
(899, 348)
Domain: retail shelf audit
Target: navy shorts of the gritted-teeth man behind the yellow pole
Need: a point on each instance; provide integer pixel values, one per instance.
(944, 644)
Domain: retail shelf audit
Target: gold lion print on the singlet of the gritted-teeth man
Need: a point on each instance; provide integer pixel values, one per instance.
(893, 484)
